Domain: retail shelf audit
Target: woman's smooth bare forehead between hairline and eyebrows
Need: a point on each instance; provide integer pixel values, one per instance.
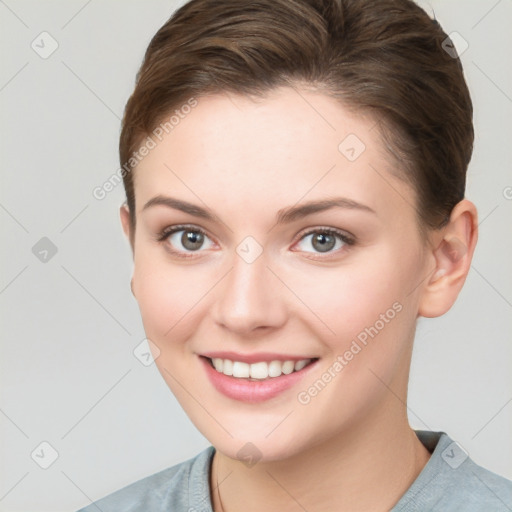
(241, 152)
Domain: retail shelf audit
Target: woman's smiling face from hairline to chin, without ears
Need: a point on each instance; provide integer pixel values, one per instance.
(232, 270)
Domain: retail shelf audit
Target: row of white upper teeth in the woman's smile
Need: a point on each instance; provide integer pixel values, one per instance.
(261, 370)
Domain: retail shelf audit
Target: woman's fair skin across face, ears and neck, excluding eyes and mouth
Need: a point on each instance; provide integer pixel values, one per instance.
(350, 447)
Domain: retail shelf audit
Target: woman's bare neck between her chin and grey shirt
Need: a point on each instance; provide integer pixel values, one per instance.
(364, 468)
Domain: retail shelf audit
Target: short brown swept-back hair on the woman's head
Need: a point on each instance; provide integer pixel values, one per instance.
(382, 56)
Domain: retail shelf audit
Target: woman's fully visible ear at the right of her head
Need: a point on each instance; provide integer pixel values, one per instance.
(452, 253)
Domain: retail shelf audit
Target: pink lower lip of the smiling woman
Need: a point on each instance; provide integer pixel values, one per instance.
(252, 391)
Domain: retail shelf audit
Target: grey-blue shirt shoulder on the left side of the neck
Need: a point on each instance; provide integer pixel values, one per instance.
(173, 488)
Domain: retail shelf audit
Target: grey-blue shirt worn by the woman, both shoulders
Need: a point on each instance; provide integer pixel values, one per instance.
(449, 482)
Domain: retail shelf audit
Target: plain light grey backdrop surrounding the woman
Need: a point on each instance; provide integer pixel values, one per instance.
(68, 373)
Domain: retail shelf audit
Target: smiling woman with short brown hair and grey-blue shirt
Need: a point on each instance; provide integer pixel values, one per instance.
(295, 175)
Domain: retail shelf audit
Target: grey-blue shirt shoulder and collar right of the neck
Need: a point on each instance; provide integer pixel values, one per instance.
(451, 480)
